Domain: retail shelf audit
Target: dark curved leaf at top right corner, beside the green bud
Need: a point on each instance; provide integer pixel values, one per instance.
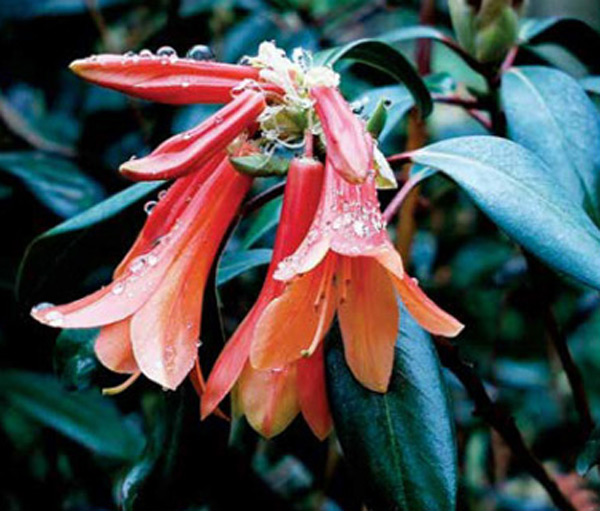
(574, 35)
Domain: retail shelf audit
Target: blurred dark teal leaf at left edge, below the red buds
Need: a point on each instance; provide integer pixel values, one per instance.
(56, 182)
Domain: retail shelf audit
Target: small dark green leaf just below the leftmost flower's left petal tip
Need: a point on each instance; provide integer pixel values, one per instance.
(74, 357)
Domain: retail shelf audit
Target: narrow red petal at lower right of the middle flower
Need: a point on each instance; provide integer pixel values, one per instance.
(312, 394)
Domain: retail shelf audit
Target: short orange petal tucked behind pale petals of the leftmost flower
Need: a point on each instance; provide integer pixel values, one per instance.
(113, 347)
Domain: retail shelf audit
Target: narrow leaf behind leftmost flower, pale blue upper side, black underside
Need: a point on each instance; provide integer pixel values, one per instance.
(47, 250)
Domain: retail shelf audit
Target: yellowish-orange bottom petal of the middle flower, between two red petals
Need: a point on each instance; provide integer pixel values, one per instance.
(268, 399)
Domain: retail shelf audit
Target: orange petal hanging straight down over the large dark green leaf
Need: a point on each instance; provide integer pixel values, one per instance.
(369, 322)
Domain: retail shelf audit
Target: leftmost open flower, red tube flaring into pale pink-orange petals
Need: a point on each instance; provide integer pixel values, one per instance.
(150, 312)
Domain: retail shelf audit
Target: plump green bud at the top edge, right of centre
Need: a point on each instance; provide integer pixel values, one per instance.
(487, 29)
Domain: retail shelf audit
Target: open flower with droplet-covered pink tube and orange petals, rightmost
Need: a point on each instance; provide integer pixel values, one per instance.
(346, 262)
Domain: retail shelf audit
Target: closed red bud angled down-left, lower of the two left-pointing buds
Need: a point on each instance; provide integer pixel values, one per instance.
(185, 152)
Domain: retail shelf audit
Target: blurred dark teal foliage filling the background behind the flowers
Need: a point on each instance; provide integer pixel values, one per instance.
(61, 141)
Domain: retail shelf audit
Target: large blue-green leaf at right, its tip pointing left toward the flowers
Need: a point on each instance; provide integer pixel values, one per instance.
(517, 190)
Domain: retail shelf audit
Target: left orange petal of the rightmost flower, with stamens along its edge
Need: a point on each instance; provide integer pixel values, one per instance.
(297, 320)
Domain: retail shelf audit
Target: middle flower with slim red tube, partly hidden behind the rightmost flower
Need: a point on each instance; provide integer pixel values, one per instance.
(271, 399)
